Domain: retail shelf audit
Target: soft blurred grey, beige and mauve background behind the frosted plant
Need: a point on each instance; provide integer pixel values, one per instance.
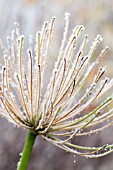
(97, 18)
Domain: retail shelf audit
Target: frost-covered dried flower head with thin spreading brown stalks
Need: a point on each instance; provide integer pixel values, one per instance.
(68, 108)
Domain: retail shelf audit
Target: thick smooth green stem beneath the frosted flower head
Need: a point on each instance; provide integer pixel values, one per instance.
(30, 139)
